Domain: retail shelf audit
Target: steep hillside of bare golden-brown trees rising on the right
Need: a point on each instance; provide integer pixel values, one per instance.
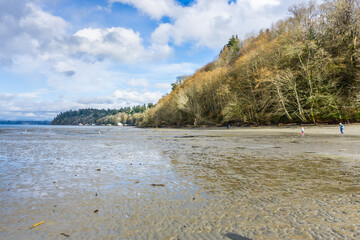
(304, 69)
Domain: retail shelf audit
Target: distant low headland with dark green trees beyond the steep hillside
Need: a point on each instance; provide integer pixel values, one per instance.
(90, 116)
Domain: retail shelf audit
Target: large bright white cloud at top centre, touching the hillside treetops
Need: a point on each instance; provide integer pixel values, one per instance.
(210, 23)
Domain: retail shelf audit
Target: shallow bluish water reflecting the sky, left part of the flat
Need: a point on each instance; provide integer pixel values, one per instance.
(32, 157)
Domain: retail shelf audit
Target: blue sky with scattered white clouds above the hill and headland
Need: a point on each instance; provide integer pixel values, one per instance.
(57, 55)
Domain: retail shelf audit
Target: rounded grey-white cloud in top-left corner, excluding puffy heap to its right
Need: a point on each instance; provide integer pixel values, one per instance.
(25, 29)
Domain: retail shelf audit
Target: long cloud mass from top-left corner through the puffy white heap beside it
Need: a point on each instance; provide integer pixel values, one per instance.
(32, 38)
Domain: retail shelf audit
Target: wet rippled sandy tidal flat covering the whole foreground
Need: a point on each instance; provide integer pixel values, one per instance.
(129, 183)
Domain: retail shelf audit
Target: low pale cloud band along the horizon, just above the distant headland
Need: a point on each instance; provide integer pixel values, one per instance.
(31, 105)
